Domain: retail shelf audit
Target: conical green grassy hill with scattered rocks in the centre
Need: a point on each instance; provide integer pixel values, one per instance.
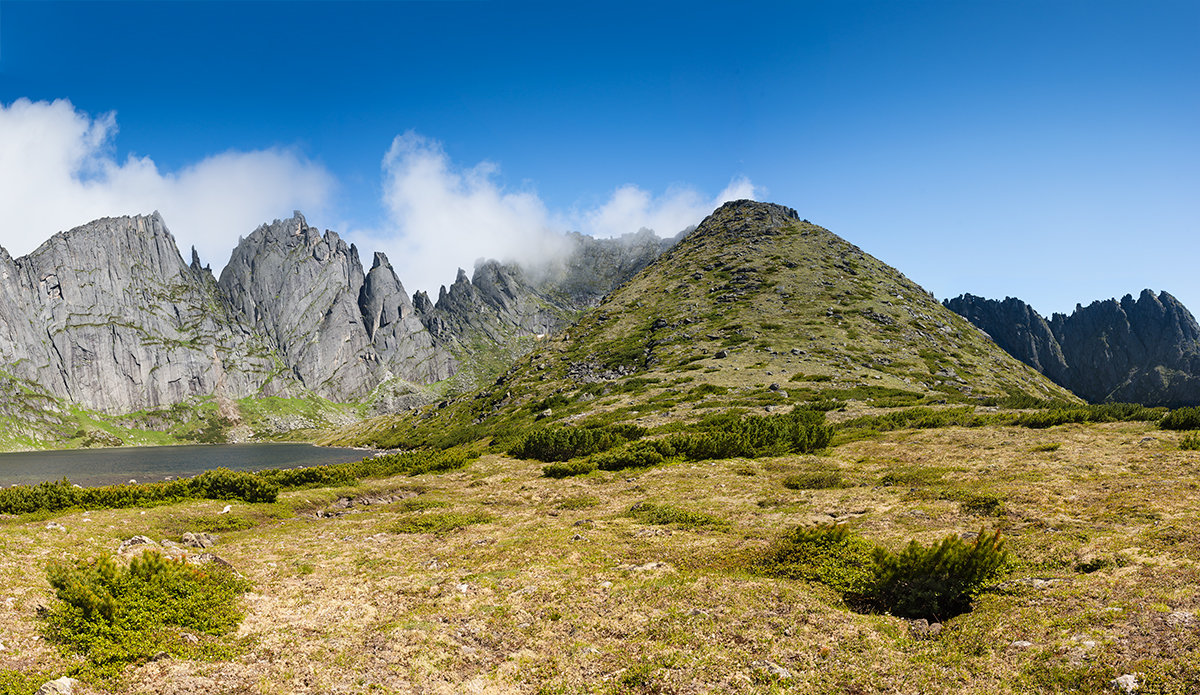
(757, 309)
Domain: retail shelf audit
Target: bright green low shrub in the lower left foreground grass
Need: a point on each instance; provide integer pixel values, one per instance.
(115, 616)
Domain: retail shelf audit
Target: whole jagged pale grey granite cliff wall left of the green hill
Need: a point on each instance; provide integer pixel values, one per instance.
(109, 316)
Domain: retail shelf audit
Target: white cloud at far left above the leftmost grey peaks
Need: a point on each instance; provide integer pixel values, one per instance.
(58, 172)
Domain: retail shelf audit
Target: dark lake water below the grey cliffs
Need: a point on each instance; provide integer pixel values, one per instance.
(153, 464)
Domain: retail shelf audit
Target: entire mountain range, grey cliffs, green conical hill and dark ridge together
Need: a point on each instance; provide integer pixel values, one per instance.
(759, 307)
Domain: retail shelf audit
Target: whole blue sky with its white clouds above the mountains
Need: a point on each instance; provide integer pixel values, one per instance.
(1047, 151)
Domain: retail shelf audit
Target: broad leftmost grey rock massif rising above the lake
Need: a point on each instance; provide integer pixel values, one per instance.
(109, 316)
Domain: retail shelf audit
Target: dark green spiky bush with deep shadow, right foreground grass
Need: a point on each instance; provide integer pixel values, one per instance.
(937, 582)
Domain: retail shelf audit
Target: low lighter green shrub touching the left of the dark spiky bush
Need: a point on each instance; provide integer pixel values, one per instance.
(826, 554)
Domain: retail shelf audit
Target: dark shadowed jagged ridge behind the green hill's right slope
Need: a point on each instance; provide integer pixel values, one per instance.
(1144, 351)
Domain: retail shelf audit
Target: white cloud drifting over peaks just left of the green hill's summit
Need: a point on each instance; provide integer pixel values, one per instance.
(443, 218)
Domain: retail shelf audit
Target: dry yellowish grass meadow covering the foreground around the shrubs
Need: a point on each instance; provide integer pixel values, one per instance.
(562, 592)
